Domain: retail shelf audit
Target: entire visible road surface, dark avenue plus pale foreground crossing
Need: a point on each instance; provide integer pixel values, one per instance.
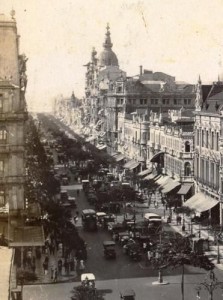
(113, 276)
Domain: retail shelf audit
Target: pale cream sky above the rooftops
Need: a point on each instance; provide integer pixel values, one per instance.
(183, 38)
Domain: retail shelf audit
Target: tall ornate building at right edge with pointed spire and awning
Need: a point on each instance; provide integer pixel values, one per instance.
(208, 157)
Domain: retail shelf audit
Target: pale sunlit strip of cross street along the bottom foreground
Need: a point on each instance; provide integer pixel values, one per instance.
(111, 289)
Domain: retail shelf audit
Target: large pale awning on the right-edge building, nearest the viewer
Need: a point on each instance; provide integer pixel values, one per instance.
(201, 202)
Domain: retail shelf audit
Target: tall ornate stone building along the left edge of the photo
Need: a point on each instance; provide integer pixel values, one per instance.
(13, 115)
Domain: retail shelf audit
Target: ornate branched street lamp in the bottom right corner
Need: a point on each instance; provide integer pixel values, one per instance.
(210, 284)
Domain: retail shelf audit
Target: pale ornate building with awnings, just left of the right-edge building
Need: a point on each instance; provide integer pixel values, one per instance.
(171, 150)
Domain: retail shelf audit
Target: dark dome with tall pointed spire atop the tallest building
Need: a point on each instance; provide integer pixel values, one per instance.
(108, 57)
